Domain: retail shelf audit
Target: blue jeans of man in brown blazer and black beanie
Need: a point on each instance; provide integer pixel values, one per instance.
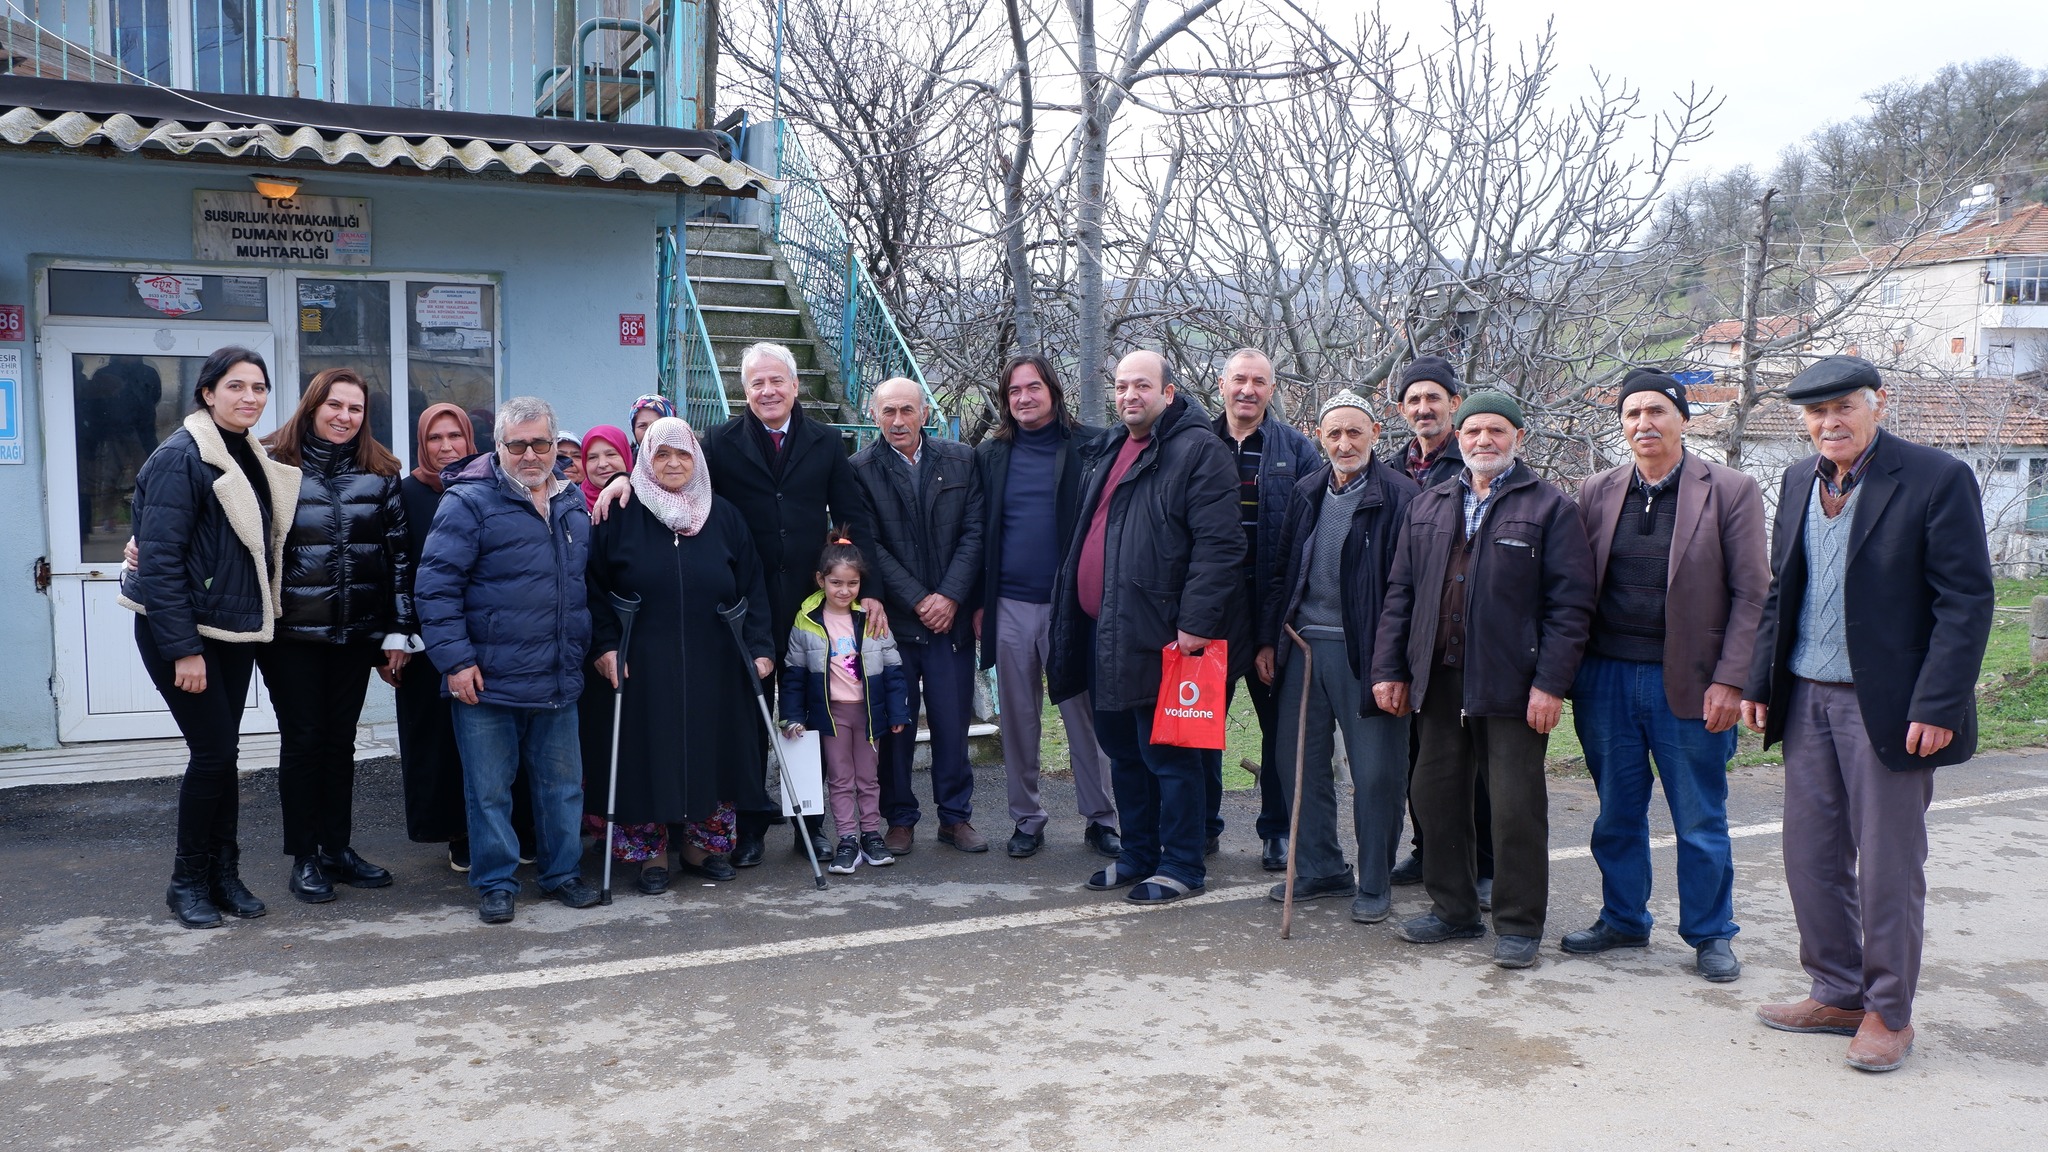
(1623, 721)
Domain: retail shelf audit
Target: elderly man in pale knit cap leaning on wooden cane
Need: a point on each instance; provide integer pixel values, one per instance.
(1336, 546)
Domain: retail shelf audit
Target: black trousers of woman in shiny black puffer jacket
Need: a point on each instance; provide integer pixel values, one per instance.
(318, 696)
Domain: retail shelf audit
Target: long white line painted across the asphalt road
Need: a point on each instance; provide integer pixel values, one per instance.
(499, 983)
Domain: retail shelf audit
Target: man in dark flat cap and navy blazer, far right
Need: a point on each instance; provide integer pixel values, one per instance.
(1867, 669)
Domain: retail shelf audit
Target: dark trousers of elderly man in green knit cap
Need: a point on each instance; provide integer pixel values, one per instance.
(1457, 753)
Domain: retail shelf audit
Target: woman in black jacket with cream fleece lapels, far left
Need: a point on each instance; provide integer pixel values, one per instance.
(210, 526)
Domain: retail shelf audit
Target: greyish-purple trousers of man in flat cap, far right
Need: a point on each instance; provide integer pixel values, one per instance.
(1857, 858)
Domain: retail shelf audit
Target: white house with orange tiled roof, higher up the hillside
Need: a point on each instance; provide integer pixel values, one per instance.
(1969, 298)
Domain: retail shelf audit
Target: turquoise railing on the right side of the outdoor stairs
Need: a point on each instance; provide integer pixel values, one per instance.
(845, 304)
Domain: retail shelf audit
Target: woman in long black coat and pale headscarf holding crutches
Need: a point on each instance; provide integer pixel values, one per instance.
(685, 753)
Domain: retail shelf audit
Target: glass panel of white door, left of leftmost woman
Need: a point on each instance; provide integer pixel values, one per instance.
(124, 407)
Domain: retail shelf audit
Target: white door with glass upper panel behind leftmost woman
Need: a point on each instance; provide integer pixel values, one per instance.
(110, 397)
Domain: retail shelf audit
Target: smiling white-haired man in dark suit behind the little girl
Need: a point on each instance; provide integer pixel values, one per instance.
(792, 481)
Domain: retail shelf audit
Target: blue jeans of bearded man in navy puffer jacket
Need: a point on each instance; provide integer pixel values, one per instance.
(497, 743)
